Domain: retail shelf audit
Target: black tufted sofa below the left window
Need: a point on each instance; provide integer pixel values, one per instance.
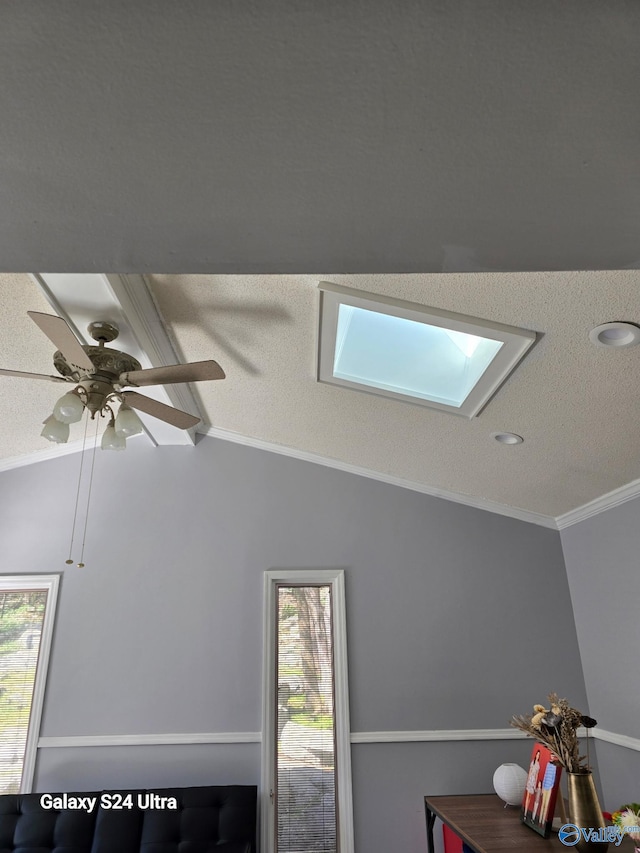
(212, 819)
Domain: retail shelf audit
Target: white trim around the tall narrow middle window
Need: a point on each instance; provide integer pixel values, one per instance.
(334, 578)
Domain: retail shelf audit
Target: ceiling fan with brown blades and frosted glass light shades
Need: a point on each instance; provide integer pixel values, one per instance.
(100, 375)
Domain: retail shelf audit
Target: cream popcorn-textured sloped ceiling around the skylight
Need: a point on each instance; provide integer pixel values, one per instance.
(575, 404)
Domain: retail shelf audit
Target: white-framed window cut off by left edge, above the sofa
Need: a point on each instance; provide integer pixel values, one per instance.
(27, 608)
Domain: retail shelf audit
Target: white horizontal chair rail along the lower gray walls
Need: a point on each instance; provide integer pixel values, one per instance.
(356, 737)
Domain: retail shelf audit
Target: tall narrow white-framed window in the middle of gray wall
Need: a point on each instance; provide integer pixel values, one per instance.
(306, 792)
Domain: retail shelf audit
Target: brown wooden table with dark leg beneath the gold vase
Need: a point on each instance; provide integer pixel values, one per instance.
(482, 821)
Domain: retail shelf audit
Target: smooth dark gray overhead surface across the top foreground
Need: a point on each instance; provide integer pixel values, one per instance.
(310, 137)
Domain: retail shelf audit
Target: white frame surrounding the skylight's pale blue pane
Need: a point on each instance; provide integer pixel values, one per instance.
(515, 342)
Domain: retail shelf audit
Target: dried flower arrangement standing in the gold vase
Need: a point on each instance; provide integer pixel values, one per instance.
(556, 727)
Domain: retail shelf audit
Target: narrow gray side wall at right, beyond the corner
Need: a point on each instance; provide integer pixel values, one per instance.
(603, 570)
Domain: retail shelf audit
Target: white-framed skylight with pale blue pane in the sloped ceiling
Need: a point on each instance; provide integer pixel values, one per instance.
(397, 349)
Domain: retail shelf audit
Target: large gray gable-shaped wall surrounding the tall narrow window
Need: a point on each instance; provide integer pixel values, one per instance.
(451, 622)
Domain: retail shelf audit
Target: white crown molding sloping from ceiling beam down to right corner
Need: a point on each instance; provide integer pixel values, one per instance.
(317, 459)
